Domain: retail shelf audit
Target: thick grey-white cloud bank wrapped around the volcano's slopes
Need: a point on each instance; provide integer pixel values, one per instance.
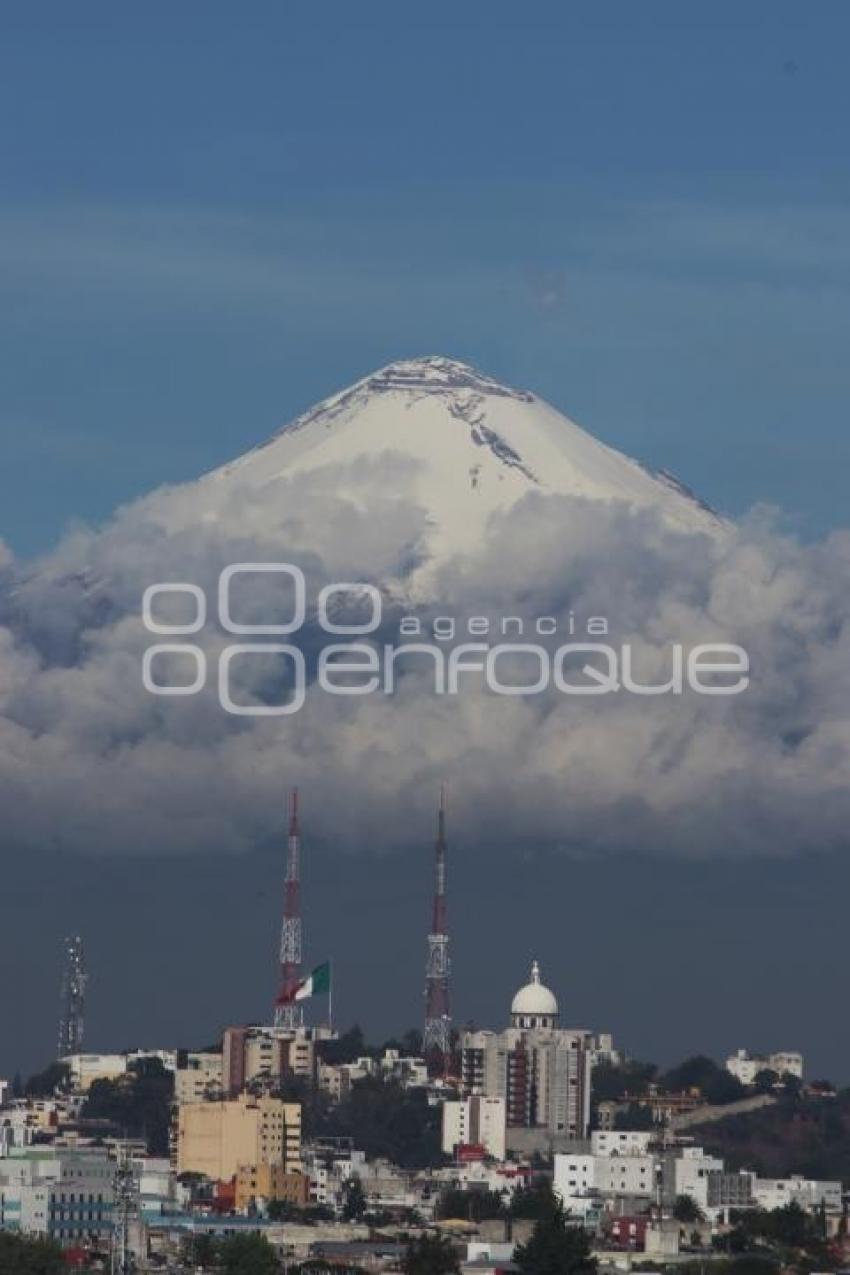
(90, 762)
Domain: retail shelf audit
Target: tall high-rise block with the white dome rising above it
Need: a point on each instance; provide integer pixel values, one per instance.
(541, 1070)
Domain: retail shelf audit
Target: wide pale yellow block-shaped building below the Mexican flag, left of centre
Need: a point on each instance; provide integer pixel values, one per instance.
(216, 1139)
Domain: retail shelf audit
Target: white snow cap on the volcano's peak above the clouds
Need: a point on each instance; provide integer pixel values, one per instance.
(473, 447)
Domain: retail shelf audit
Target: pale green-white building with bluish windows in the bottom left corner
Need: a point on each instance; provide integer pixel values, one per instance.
(62, 1195)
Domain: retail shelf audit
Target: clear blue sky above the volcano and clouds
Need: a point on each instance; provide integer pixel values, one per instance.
(211, 220)
